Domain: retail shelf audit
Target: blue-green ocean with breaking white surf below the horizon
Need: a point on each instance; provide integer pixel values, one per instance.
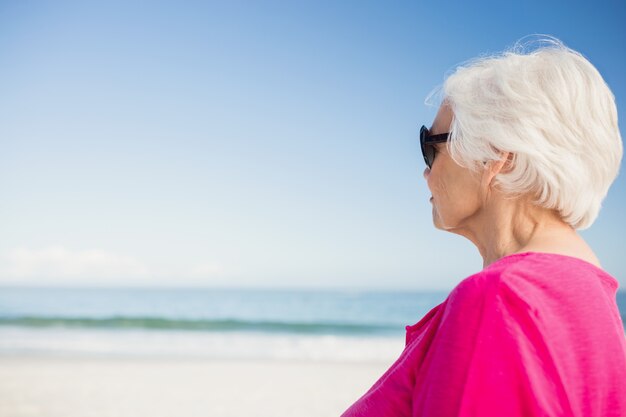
(214, 323)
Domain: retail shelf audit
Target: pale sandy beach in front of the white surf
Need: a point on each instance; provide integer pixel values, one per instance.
(92, 386)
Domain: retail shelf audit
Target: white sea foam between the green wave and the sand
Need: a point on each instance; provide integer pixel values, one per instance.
(217, 345)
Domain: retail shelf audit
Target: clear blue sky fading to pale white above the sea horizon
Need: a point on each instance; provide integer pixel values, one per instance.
(250, 144)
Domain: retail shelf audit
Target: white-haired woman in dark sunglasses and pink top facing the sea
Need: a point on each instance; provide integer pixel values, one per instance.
(520, 155)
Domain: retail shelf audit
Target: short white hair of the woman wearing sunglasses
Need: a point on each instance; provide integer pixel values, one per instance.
(550, 107)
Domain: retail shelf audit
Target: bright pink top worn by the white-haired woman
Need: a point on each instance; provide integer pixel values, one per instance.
(533, 334)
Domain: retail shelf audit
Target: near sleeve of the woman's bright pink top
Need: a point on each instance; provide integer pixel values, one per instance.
(488, 358)
